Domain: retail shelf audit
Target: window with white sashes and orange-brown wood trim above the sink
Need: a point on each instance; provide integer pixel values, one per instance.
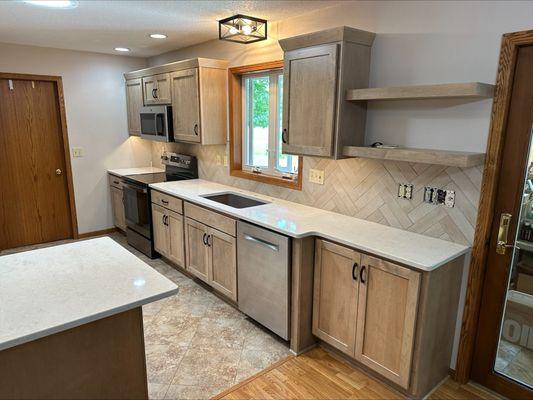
(256, 99)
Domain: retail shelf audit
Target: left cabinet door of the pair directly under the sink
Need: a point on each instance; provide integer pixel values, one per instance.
(196, 250)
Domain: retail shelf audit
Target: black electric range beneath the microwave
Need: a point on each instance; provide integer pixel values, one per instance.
(138, 202)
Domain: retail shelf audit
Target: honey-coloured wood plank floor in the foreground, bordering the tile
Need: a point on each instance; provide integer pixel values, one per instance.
(318, 375)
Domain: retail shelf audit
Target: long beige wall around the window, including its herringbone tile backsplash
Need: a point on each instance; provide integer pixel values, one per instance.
(416, 43)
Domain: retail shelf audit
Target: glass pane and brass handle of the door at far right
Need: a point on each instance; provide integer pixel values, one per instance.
(514, 358)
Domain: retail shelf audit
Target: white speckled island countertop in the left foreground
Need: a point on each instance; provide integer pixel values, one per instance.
(53, 289)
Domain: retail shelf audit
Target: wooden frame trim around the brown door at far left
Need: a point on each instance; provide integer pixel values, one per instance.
(64, 132)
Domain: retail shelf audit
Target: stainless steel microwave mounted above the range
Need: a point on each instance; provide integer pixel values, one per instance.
(156, 123)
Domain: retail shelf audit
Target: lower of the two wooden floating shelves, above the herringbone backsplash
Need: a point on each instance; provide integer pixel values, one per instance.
(424, 156)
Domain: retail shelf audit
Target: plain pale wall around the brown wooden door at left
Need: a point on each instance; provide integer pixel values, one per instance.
(96, 119)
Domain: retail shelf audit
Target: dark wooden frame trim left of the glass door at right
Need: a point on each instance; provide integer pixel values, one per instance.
(500, 107)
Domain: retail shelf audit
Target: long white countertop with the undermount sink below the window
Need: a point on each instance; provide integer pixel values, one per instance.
(298, 221)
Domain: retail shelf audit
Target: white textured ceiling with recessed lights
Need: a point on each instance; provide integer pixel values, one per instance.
(100, 26)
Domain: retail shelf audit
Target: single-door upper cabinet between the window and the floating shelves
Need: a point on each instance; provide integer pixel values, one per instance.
(318, 69)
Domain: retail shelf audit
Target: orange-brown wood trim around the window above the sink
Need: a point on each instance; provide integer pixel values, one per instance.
(235, 128)
